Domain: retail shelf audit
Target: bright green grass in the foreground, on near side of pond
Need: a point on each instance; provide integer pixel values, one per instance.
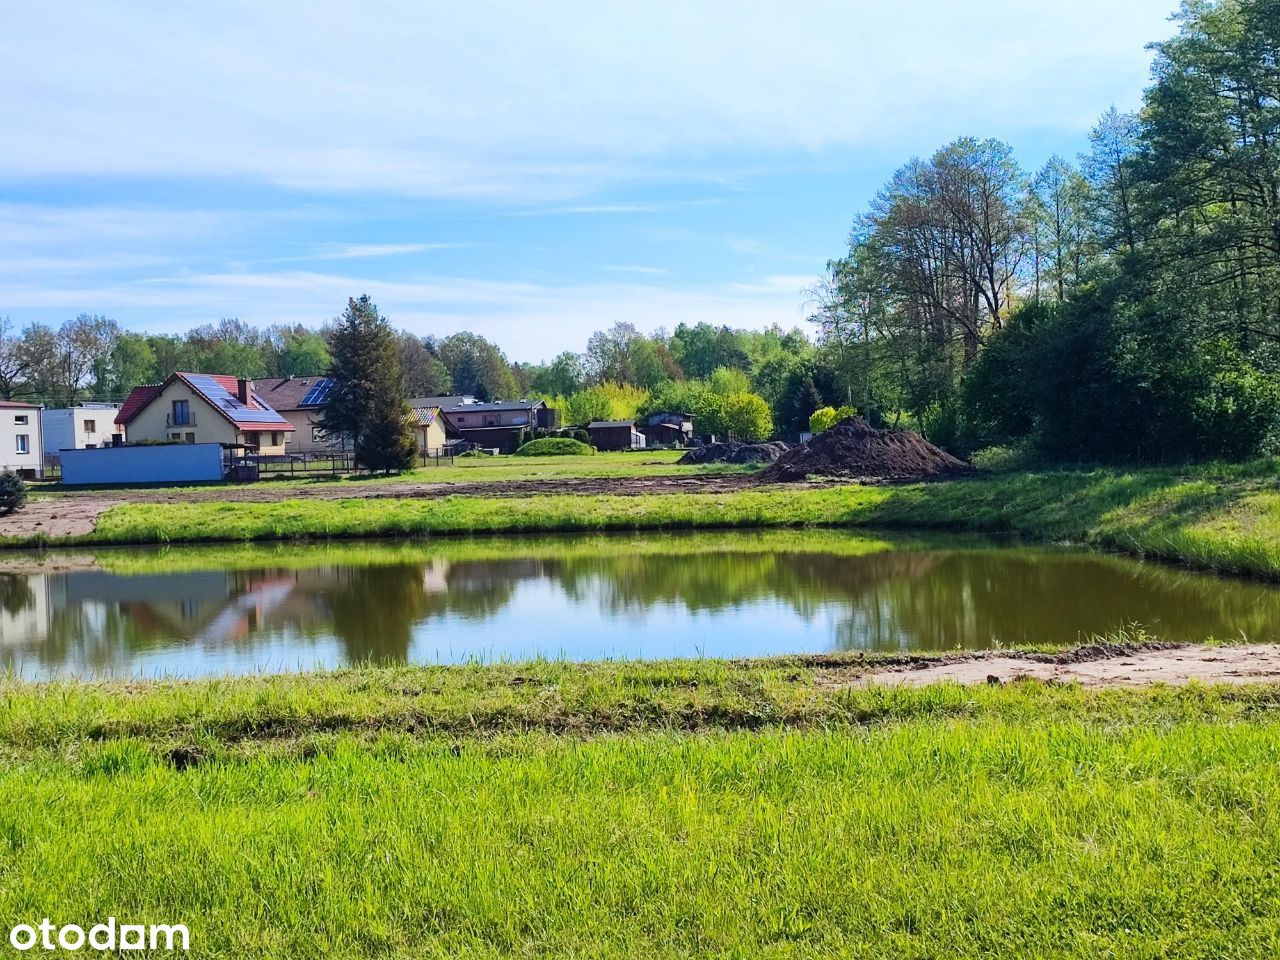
(749, 811)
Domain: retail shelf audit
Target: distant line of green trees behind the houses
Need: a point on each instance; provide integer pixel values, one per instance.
(743, 382)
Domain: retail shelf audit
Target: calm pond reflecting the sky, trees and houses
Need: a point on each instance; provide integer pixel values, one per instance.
(214, 611)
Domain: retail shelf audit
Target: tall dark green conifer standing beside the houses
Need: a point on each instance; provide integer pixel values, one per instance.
(368, 403)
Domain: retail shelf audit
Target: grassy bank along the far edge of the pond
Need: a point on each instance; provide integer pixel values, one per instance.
(1214, 518)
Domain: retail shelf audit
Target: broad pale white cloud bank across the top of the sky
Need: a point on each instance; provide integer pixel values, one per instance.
(505, 98)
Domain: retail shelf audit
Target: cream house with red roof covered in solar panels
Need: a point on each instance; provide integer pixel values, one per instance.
(204, 409)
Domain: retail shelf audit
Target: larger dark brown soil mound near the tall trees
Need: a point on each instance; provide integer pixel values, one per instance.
(856, 450)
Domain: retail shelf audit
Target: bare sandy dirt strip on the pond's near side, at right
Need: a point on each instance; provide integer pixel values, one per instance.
(1094, 668)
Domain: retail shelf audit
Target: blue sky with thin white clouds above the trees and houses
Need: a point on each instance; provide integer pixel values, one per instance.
(531, 172)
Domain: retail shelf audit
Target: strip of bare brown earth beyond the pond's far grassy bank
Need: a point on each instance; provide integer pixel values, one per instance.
(76, 514)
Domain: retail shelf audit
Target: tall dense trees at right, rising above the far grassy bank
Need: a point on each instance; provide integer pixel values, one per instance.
(1121, 307)
